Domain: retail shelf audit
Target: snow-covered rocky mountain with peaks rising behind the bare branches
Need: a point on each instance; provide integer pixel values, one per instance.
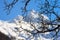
(20, 27)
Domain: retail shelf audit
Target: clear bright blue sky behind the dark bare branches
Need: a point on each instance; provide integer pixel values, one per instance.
(17, 9)
